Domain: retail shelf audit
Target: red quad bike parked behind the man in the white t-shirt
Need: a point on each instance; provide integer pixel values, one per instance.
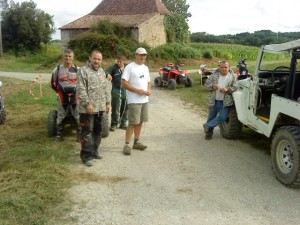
(171, 76)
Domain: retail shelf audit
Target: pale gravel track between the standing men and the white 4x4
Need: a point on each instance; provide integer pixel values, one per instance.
(180, 179)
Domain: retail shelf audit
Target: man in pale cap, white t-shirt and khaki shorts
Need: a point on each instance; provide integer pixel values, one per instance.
(136, 81)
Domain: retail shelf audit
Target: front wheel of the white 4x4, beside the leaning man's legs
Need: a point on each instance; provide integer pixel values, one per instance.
(232, 127)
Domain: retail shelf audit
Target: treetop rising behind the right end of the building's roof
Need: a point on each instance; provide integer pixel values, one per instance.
(178, 7)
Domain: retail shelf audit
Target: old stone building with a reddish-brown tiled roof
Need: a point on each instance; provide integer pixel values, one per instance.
(144, 19)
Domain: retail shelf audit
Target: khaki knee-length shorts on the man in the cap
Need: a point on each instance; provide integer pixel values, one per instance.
(137, 113)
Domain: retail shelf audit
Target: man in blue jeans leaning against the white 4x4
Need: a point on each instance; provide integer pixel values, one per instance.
(220, 85)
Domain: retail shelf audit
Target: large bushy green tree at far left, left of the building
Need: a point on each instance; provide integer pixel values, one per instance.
(24, 27)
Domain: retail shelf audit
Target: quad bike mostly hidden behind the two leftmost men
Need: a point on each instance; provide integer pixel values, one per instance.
(70, 120)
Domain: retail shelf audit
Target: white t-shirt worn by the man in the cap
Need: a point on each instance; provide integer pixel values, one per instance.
(138, 76)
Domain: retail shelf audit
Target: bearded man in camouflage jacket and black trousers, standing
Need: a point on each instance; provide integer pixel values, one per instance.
(94, 94)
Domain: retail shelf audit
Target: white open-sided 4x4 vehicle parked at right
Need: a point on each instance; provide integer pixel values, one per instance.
(267, 103)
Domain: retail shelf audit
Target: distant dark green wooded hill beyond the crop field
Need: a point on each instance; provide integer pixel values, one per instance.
(257, 38)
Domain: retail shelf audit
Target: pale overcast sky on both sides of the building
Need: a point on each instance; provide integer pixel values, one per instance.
(211, 16)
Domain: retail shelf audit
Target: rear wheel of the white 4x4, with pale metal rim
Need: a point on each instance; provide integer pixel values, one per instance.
(285, 156)
